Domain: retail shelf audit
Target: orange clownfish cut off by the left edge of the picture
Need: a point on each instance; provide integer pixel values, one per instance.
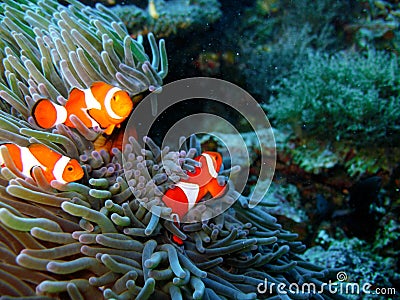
(54, 165)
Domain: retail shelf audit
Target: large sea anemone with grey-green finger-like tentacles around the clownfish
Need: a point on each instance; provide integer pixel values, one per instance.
(110, 235)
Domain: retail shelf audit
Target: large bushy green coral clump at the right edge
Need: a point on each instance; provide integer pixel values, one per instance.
(357, 95)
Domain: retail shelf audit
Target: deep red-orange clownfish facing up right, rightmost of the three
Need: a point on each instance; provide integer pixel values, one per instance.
(203, 180)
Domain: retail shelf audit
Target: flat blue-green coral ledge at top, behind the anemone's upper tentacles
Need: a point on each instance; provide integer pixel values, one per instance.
(168, 17)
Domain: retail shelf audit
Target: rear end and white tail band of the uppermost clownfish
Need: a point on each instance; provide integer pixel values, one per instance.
(47, 114)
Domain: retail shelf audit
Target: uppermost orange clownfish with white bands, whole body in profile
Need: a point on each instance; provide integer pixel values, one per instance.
(102, 105)
